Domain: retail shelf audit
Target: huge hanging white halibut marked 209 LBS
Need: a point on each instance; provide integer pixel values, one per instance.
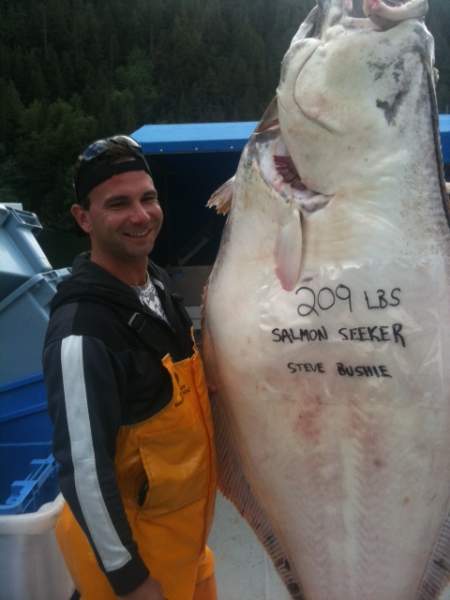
(327, 315)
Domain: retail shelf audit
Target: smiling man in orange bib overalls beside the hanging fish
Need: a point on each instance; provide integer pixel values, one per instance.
(127, 396)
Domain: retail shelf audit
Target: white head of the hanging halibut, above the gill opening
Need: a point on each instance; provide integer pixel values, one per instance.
(348, 90)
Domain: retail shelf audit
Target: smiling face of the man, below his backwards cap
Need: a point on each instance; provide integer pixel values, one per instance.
(124, 217)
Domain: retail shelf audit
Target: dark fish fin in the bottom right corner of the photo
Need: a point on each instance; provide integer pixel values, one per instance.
(436, 579)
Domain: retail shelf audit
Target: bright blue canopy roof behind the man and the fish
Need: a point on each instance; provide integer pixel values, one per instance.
(222, 137)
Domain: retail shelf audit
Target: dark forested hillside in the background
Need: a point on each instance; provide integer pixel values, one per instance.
(74, 70)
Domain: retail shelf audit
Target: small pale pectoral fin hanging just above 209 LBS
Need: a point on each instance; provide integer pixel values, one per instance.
(288, 251)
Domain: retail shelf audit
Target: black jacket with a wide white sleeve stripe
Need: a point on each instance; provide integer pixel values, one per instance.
(101, 373)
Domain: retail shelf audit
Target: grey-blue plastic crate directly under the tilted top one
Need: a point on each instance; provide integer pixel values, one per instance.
(24, 316)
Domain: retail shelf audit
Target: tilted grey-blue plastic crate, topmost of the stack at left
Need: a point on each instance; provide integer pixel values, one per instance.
(21, 255)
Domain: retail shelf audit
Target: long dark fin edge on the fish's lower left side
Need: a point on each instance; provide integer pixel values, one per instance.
(235, 487)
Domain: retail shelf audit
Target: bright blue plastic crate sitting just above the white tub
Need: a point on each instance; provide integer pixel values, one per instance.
(28, 477)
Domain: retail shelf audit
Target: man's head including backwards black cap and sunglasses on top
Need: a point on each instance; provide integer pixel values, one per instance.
(117, 203)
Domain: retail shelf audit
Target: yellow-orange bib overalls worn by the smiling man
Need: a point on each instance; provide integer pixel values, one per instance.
(173, 452)
